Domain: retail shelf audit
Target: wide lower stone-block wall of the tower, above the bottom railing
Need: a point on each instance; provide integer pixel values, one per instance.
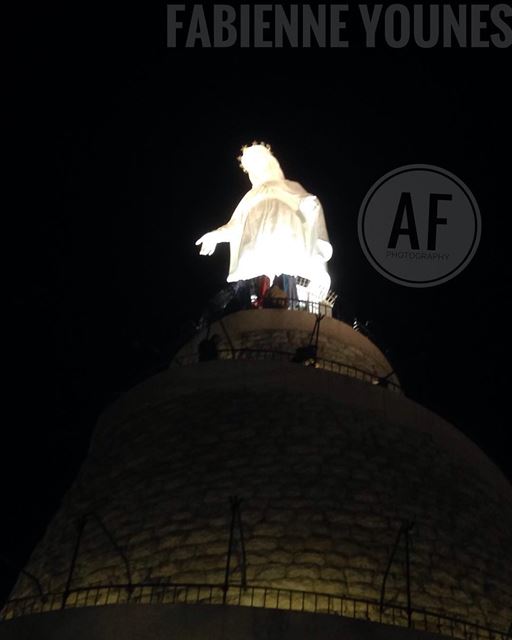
(327, 468)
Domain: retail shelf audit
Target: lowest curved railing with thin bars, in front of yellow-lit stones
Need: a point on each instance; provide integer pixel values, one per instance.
(46, 600)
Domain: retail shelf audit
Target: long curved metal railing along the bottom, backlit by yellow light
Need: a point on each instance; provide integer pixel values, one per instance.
(258, 597)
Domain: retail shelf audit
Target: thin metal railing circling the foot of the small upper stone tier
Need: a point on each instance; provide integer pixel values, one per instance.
(287, 356)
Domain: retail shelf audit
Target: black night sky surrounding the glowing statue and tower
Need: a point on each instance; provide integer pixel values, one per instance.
(126, 153)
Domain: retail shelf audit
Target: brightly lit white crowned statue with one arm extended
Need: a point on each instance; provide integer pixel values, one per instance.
(277, 228)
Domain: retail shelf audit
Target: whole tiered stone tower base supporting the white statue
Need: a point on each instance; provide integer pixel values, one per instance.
(274, 491)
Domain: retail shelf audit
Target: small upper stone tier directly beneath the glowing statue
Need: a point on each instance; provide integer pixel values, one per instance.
(303, 334)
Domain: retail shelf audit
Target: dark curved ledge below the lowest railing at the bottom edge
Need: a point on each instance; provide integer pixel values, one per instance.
(182, 622)
